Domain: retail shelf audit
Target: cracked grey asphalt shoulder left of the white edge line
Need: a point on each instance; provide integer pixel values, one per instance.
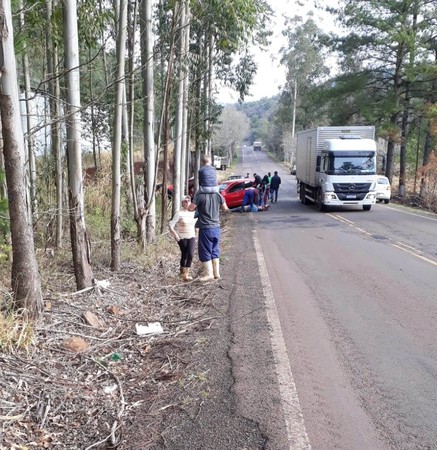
(243, 407)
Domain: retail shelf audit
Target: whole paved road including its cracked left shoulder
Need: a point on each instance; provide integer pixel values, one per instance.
(324, 334)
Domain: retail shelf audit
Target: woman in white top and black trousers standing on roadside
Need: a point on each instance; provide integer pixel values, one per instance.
(182, 228)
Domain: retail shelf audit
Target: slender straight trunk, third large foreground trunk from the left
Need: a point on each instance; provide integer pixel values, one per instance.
(116, 142)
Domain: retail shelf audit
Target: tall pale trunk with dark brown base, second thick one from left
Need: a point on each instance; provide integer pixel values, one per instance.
(79, 239)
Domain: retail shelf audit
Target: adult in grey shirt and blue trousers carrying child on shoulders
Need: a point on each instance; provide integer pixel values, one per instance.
(208, 222)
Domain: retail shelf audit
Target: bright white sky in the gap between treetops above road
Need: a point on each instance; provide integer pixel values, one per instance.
(270, 76)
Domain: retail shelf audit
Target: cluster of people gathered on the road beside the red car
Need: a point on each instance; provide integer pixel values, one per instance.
(257, 197)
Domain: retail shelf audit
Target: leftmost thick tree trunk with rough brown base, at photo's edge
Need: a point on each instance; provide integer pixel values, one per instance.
(25, 280)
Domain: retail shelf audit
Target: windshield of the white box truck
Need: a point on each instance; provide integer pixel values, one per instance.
(351, 163)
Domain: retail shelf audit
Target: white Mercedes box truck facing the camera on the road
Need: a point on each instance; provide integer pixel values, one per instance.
(336, 166)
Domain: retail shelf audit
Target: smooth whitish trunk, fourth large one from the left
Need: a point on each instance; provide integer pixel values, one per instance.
(150, 154)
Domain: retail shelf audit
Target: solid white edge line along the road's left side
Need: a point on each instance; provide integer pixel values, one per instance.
(296, 431)
